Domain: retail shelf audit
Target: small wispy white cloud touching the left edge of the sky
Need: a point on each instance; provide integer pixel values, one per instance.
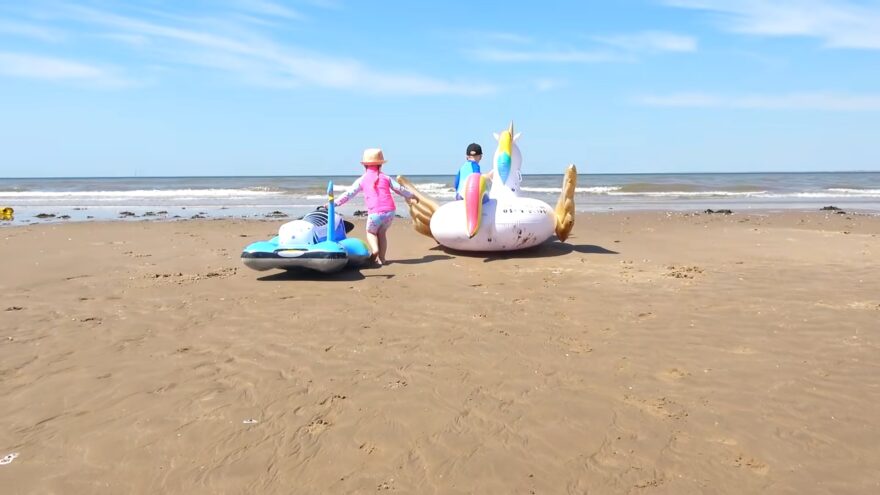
(53, 69)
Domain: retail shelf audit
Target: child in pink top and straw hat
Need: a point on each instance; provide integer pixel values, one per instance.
(377, 188)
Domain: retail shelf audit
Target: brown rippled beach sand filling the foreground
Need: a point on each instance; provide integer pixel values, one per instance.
(653, 353)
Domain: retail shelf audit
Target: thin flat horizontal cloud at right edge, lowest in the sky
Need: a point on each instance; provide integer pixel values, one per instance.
(789, 101)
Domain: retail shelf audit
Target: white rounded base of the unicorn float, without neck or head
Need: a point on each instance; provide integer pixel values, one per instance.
(507, 224)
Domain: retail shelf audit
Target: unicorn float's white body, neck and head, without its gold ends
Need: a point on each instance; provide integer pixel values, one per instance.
(507, 221)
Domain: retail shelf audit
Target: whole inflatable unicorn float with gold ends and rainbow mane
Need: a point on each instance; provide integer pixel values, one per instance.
(500, 219)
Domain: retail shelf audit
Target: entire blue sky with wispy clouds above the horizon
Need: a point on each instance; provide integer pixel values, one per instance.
(107, 88)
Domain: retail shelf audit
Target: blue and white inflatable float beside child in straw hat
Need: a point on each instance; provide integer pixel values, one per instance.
(309, 243)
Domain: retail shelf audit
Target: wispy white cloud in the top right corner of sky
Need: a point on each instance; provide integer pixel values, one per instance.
(839, 23)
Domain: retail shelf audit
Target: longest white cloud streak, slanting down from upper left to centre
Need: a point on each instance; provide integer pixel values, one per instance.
(259, 59)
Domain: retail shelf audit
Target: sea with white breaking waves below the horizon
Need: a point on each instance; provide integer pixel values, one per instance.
(42, 200)
